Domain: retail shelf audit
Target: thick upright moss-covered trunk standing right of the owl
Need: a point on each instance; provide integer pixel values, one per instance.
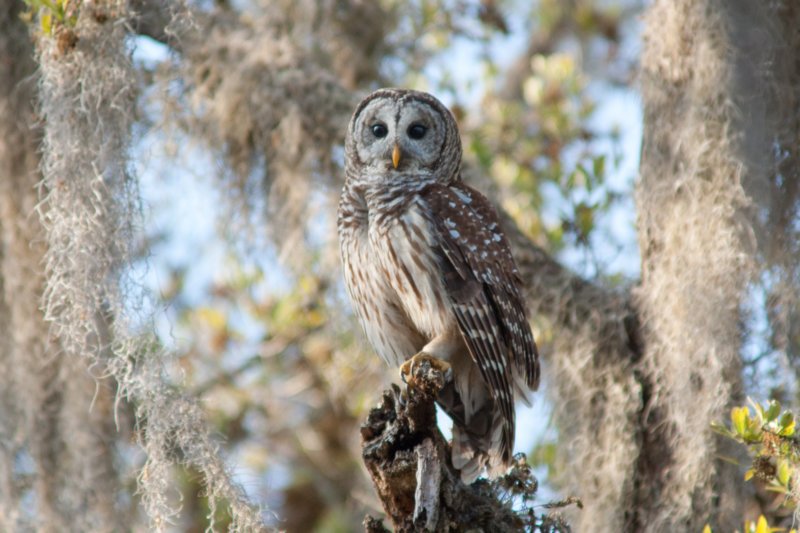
(706, 142)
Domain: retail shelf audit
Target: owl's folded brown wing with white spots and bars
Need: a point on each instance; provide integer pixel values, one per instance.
(482, 282)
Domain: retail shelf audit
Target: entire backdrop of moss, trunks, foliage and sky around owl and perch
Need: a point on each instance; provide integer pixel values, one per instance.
(175, 168)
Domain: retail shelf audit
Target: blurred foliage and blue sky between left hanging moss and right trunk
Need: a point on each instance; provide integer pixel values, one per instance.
(542, 92)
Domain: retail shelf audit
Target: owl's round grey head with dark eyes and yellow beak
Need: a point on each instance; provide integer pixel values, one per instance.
(400, 135)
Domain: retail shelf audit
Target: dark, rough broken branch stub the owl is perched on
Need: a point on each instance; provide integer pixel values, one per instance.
(420, 490)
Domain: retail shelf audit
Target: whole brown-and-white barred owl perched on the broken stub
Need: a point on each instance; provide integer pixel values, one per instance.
(430, 272)
